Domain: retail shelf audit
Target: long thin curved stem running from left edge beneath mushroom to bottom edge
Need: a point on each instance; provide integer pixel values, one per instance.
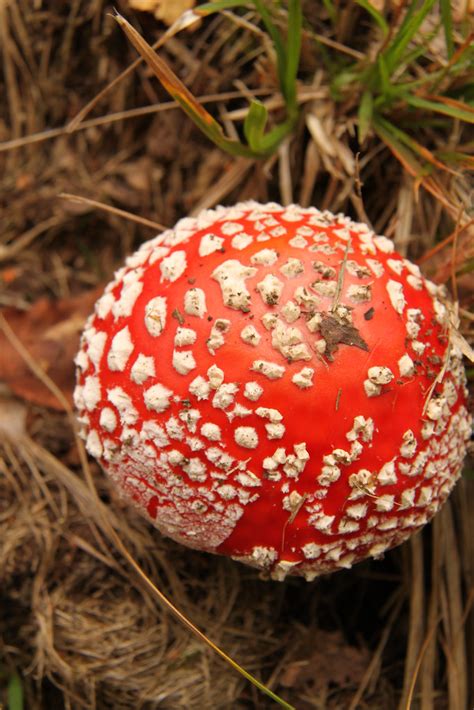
(102, 515)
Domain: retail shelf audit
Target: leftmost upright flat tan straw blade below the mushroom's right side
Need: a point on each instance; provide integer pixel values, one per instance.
(416, 617)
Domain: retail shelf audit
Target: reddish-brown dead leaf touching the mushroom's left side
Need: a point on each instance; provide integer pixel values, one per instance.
(50, 331)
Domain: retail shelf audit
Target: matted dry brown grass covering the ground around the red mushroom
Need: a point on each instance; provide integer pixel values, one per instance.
(76, 622)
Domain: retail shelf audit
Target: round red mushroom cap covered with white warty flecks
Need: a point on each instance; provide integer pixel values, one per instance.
(277, 385)
